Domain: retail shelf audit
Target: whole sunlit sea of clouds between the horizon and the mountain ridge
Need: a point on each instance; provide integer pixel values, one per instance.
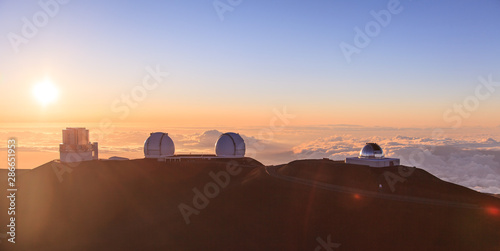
(466, 157)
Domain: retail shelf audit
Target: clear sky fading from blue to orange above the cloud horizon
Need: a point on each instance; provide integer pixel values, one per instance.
(223, 64)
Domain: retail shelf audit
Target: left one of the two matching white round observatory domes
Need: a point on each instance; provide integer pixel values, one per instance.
(158, 145)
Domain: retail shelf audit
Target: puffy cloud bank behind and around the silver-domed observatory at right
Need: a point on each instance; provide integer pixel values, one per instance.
(471, 163)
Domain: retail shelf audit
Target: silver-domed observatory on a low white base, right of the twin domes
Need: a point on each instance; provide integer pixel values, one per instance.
(372, 155)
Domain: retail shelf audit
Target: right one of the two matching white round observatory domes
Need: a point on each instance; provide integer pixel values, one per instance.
(230, 145)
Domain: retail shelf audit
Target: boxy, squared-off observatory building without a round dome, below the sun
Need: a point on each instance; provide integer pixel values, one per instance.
(76, 146)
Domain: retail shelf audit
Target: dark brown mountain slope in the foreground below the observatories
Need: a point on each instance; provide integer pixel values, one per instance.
(223, 204)
